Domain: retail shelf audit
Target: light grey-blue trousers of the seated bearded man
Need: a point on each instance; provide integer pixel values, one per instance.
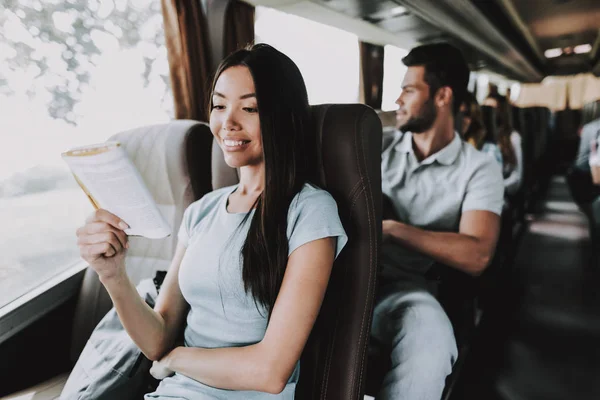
(408, 319)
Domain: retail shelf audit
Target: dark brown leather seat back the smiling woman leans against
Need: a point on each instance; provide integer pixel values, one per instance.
(347, 145)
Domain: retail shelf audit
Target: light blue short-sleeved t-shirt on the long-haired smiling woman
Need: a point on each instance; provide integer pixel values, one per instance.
(221, 313)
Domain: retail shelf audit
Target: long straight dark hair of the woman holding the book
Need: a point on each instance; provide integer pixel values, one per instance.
(283, 110)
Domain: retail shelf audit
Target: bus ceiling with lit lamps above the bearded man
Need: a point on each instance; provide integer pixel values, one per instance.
(522, 40)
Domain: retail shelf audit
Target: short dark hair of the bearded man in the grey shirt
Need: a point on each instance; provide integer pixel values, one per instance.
(444, 66)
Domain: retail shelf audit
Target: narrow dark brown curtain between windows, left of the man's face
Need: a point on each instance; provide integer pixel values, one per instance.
(371, 70)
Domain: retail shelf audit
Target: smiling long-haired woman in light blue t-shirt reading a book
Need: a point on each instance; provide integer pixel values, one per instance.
(253, 260)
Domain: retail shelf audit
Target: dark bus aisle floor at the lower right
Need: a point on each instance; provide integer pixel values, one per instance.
(540, 339)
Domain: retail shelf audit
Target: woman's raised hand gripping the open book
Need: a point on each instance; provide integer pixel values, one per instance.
(102, 243)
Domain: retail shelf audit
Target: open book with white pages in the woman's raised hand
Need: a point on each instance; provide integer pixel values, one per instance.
(112, 182)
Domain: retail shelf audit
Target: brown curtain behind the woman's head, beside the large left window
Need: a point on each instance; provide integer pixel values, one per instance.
(198, 34)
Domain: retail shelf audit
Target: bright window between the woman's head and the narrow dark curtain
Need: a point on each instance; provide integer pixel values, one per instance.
(328, 57)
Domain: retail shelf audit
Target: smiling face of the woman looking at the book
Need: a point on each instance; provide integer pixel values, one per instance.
(234, 120)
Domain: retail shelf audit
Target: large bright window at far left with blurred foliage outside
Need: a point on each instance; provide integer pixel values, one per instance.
(71, 73)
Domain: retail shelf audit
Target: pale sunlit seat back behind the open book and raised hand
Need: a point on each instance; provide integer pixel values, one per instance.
(159, 153)
